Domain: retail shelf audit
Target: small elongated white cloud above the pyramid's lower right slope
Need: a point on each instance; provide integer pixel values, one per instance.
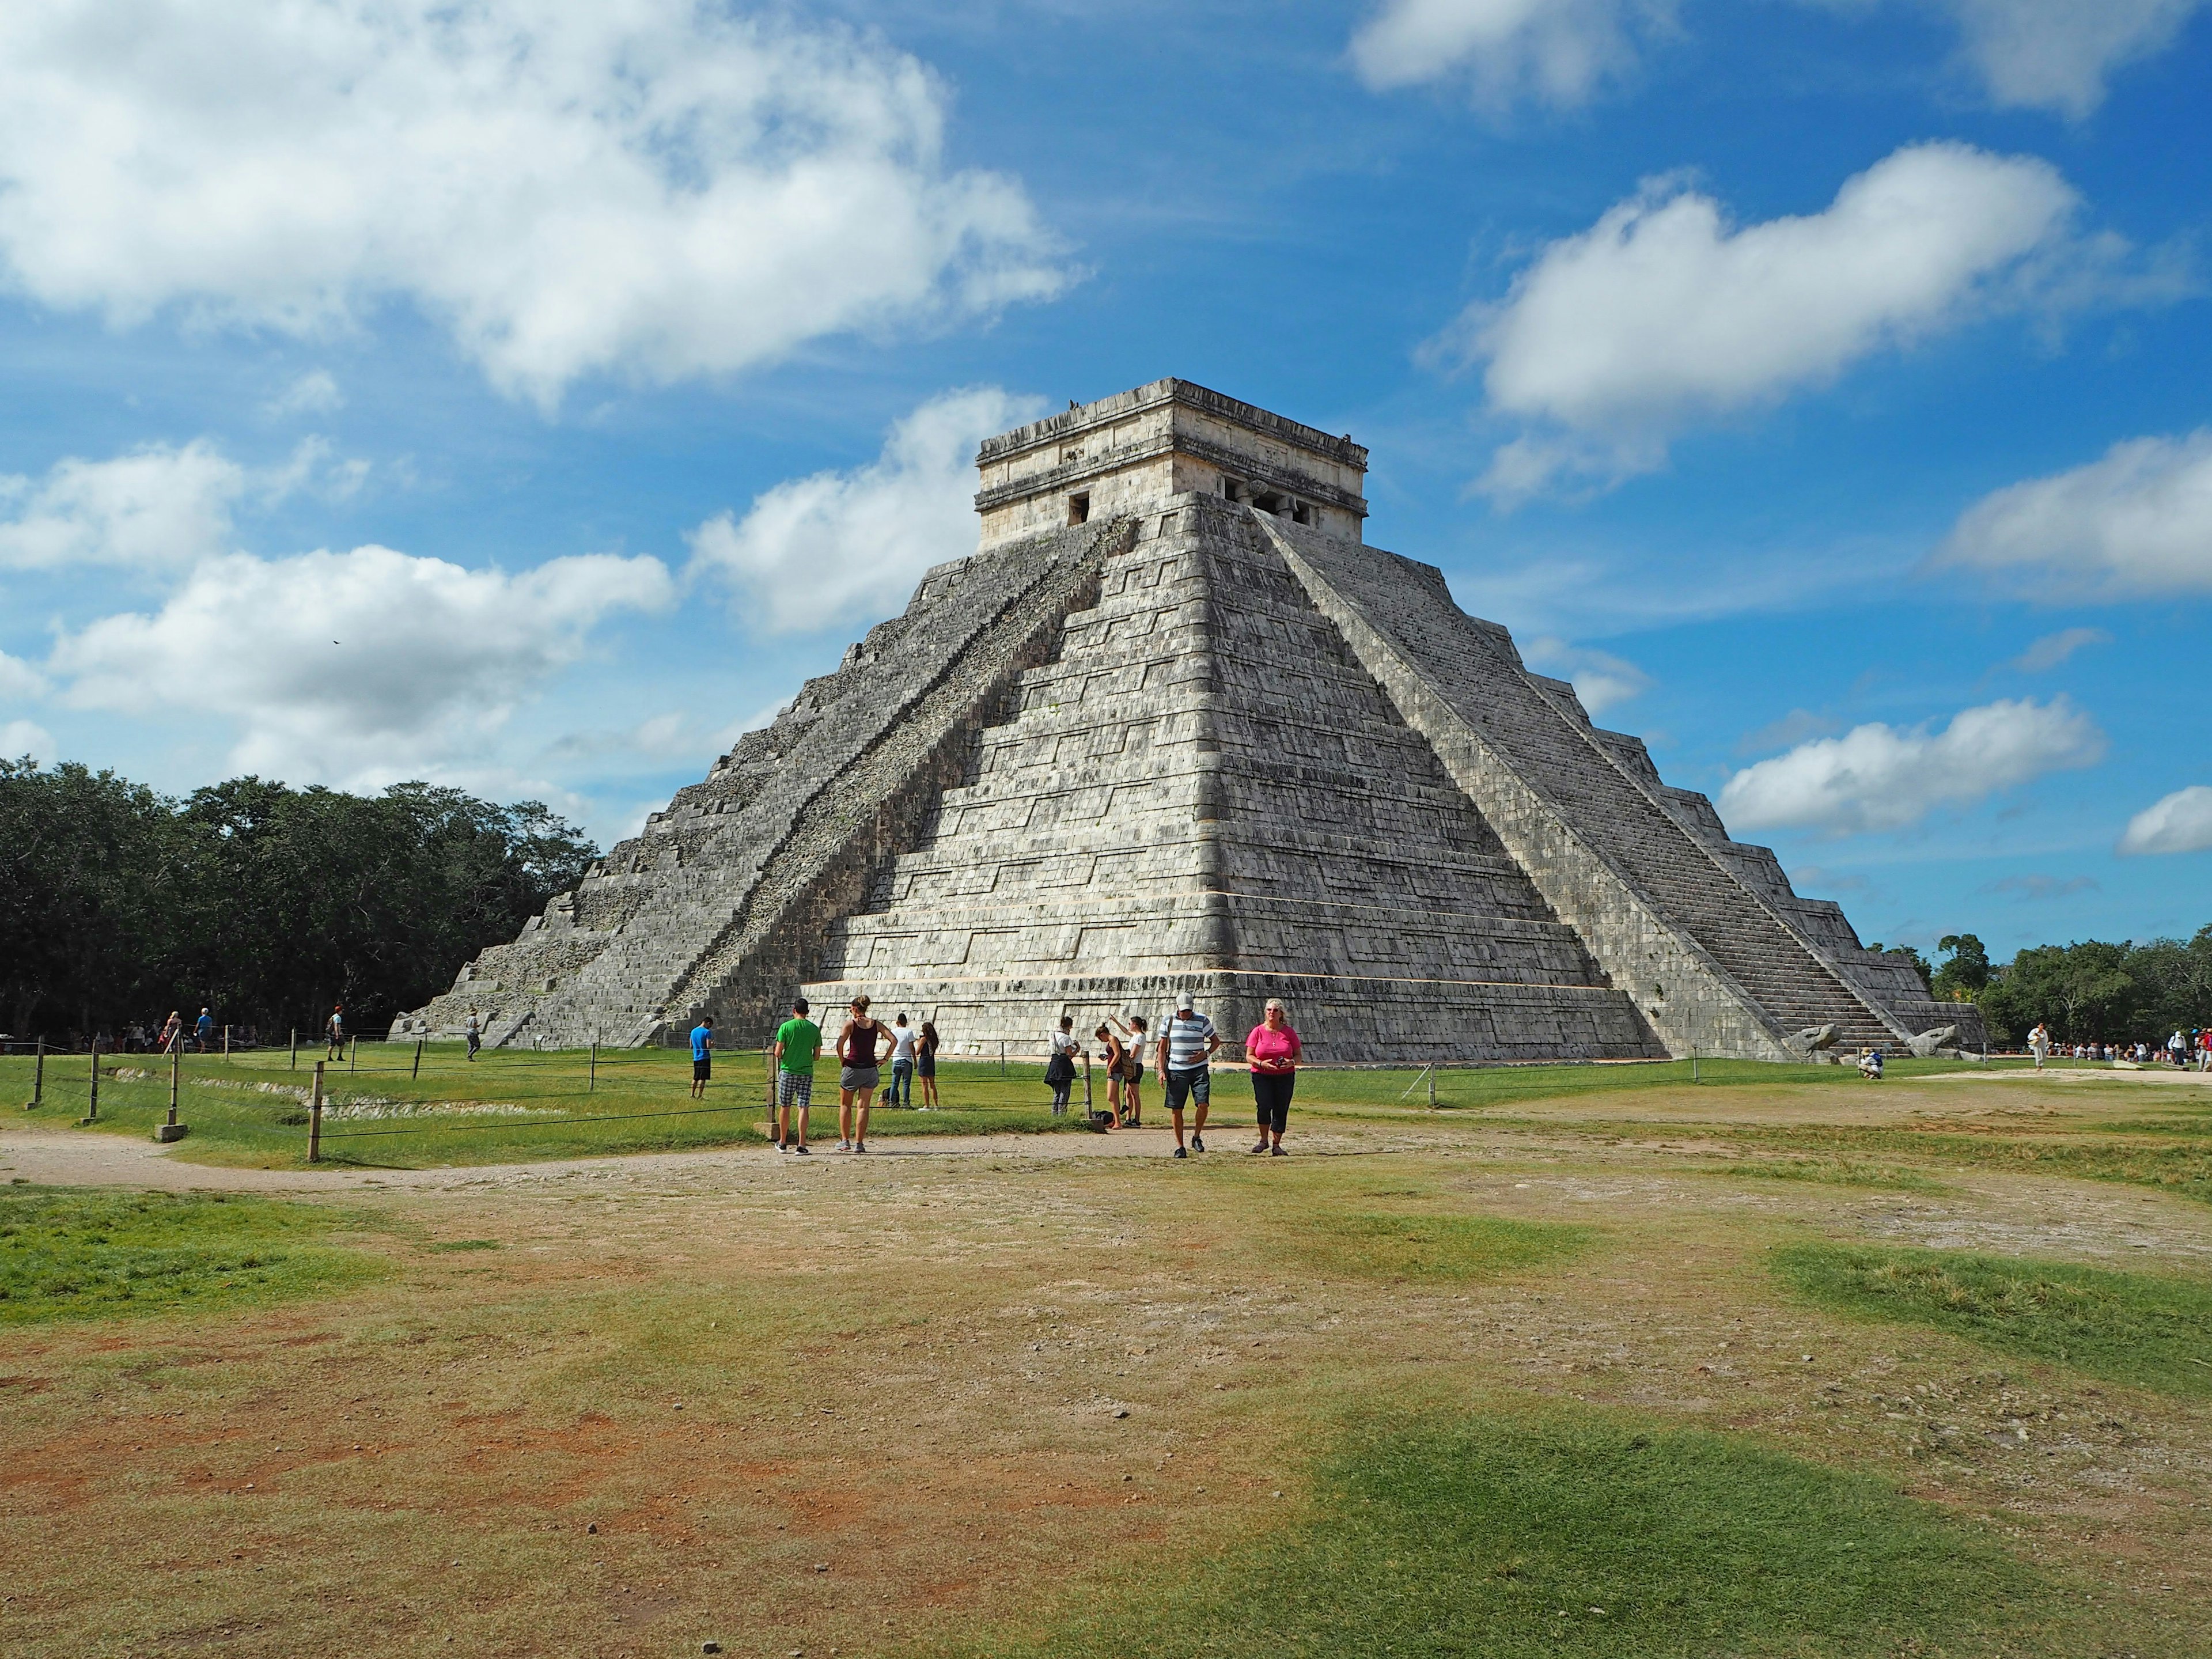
(1879, 778)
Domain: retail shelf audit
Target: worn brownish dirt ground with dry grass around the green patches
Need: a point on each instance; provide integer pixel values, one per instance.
(875, 1404)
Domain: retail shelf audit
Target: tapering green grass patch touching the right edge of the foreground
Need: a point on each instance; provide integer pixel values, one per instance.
(2125, 1328)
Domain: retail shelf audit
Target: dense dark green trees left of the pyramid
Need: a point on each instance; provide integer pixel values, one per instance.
(253, 899)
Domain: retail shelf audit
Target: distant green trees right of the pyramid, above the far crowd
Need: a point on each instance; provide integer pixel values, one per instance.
(2085, 992)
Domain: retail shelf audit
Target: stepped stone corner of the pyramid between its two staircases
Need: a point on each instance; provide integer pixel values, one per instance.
(1207, 793)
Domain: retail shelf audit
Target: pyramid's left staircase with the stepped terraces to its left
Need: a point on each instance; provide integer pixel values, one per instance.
(720, 906)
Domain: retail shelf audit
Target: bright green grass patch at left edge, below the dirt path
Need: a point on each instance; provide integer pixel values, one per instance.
(87, 1255)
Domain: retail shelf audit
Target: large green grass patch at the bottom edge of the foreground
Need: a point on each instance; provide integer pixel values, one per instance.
(1583, 1536)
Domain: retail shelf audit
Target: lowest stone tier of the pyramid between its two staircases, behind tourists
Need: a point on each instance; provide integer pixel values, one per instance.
(1342, 1021)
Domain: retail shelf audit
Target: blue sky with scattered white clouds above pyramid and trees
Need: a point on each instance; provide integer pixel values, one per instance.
(530, 397)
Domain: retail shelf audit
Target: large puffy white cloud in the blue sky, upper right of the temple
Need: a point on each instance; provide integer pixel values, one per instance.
(1665, 313)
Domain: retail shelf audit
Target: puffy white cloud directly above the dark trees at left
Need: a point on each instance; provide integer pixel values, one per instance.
(353, 667)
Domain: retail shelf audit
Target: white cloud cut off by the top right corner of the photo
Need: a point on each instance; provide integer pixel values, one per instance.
(2058, 54)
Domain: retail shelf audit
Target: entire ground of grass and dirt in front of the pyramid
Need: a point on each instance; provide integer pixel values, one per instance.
(1587, 1361)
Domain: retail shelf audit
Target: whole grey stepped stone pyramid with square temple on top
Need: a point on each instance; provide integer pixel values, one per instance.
(1178, 727)
